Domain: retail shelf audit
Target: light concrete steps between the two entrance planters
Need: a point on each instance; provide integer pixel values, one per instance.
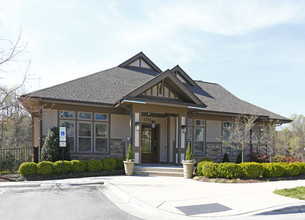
(158, 171)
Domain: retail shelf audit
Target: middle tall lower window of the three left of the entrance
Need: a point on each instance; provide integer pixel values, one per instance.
(84, 136)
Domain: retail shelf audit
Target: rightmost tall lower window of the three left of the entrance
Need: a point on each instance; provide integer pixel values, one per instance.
(101, 137)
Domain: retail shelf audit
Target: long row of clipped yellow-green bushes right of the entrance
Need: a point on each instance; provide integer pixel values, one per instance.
(249, 170)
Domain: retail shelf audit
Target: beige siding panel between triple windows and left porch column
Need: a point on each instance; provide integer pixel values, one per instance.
(120, 126)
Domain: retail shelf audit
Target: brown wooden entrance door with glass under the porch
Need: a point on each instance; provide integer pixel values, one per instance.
(150, 144)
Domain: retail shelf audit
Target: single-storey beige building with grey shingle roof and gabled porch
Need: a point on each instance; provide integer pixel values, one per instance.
(159, 112)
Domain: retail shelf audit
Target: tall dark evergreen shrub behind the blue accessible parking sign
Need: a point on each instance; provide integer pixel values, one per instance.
(51, 150)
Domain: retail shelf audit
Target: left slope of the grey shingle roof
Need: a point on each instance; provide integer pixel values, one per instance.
(106, 87)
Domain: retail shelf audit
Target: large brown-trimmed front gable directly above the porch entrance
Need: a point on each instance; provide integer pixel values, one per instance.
(173, 84)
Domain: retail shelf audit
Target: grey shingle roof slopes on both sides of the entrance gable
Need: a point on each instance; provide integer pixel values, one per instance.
(111, 85)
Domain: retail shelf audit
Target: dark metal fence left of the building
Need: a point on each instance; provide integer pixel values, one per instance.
(10, 159)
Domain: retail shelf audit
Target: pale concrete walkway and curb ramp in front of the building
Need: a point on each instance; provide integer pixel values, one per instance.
(178, 198)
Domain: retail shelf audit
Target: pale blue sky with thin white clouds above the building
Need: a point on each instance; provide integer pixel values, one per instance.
(254, 49)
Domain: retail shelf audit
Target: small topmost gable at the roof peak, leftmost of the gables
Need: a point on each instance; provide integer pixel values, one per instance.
(140, 60)
